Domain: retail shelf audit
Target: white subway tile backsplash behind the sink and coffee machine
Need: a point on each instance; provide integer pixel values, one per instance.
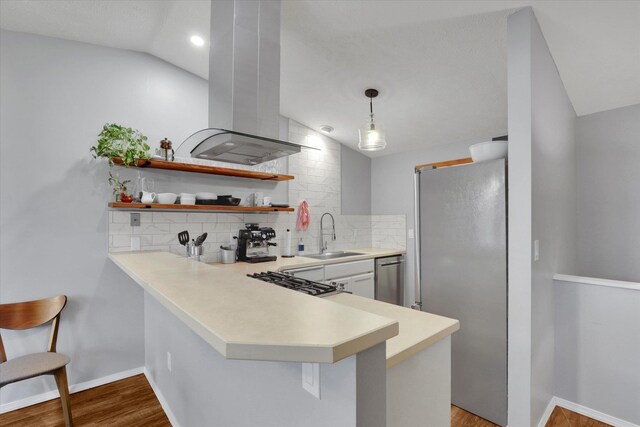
(317, 180)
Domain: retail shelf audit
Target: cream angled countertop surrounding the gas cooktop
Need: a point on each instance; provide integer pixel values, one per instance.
(243, 318)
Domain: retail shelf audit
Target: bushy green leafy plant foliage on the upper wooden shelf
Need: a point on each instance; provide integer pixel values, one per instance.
(119, 141)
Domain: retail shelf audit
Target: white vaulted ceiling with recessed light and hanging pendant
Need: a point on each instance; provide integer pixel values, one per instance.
(440, 66)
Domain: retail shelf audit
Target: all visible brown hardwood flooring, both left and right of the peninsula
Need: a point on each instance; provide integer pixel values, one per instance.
(131, 402)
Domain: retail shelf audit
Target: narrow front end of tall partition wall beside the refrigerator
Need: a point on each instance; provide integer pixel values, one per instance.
(519, 28)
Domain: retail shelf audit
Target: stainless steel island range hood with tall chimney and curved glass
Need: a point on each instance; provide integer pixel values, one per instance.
(244, 86)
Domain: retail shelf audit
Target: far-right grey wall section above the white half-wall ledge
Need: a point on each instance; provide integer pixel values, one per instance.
(609, 194)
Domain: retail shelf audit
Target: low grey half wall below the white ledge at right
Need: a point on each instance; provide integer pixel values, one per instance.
(597, 348)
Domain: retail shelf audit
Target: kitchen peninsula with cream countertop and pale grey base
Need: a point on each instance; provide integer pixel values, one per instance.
(199, 317)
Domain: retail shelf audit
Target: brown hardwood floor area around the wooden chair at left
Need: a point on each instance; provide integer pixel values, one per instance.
(128, 402)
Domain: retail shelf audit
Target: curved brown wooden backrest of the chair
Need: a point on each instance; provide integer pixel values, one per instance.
(29, 314)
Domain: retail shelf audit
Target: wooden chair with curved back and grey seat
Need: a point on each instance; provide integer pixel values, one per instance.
(26, 315)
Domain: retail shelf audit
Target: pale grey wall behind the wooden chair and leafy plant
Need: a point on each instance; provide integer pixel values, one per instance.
(56, 95)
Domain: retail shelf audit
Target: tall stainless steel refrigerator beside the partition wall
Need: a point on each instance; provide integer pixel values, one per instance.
(461, 269)
